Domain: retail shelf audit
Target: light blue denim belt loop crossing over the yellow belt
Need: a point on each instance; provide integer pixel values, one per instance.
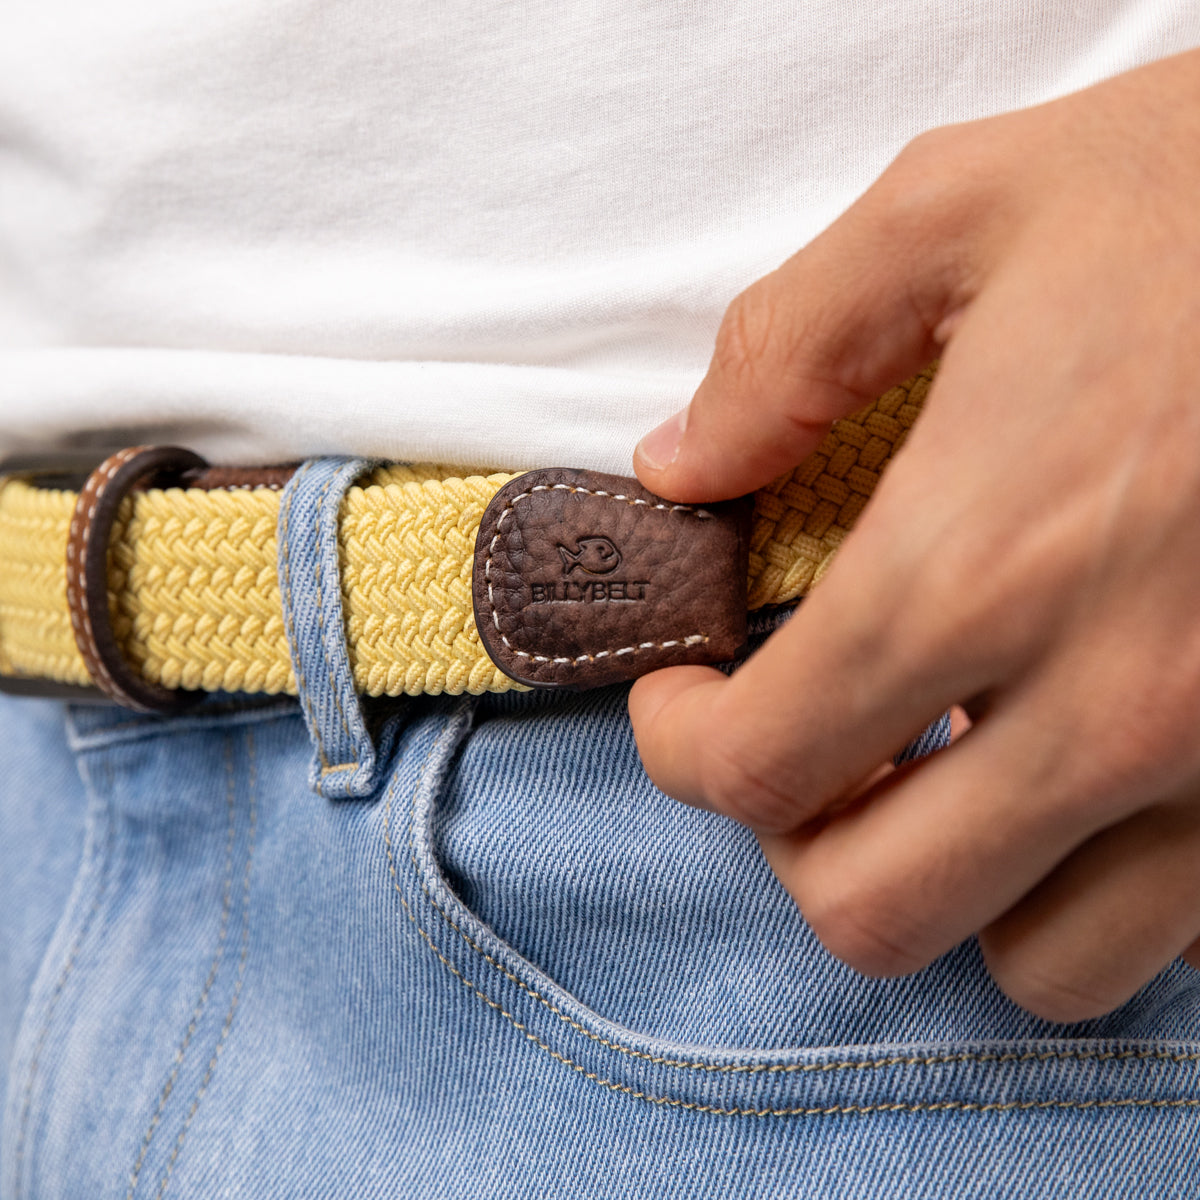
(345, 759)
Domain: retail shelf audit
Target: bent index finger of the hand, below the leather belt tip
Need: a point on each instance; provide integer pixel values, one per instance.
(833, 694)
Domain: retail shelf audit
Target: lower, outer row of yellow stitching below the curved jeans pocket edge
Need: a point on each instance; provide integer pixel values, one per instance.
(712, 1109)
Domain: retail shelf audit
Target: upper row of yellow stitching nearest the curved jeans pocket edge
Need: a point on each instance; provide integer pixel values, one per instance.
(782, 1069)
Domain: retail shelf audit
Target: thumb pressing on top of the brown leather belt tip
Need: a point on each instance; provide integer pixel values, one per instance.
(859, 310)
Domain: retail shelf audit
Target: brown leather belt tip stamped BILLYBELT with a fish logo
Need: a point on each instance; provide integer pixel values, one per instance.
(584, 580)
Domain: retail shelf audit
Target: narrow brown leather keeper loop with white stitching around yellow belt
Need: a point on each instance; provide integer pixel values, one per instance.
(92, 525)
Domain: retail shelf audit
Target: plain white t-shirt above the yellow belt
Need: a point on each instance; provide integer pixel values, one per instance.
(499, 235)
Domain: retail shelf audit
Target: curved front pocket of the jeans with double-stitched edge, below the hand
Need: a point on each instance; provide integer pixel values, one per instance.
(647, 949)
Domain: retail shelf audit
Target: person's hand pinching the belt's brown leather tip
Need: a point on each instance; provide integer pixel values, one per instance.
(1033, 555)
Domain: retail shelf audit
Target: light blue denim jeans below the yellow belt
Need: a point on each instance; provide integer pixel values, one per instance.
(491, 961)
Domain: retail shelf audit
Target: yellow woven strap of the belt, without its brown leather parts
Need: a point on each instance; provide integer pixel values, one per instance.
(195, 597)
